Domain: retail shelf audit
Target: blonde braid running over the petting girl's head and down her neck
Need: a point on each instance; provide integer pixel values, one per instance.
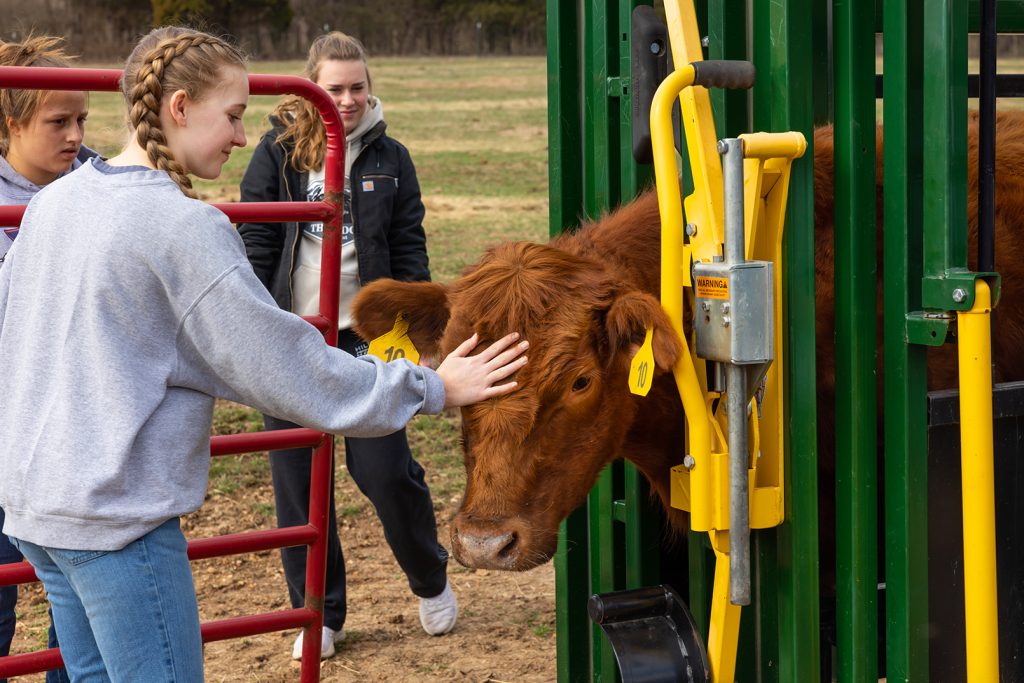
(147, 95)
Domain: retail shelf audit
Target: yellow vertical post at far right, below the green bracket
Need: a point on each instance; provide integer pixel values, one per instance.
(982, 615)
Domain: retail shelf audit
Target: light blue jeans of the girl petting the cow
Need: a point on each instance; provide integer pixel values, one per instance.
(124, 616)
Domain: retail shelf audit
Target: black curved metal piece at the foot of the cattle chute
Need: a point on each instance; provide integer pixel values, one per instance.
(653, 635)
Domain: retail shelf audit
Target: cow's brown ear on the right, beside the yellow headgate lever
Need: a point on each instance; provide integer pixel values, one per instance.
(628, 320)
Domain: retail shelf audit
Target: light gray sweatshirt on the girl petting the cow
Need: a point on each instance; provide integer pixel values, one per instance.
(125, 308)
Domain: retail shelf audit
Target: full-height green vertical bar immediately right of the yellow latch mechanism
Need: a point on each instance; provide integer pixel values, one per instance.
(784, 101)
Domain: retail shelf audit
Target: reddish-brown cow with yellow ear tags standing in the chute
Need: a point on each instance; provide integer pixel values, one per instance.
(584, 302)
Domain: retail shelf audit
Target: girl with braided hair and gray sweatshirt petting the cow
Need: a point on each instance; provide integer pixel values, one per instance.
(127, 307)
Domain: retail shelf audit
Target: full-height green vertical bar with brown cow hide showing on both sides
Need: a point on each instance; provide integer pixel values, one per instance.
(857, 296)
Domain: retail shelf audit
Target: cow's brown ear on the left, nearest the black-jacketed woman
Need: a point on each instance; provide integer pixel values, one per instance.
(423, 306)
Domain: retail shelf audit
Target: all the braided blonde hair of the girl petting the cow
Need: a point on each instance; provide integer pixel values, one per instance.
(168, 60)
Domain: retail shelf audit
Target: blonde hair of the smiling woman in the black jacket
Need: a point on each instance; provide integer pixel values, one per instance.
(304, 124)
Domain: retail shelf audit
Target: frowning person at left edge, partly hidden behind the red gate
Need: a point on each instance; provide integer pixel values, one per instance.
(40, 141)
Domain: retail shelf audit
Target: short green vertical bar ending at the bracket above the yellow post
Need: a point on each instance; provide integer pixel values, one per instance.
(946, 145)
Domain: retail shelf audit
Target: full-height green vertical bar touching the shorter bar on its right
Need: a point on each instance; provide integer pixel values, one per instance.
(906, 418)
